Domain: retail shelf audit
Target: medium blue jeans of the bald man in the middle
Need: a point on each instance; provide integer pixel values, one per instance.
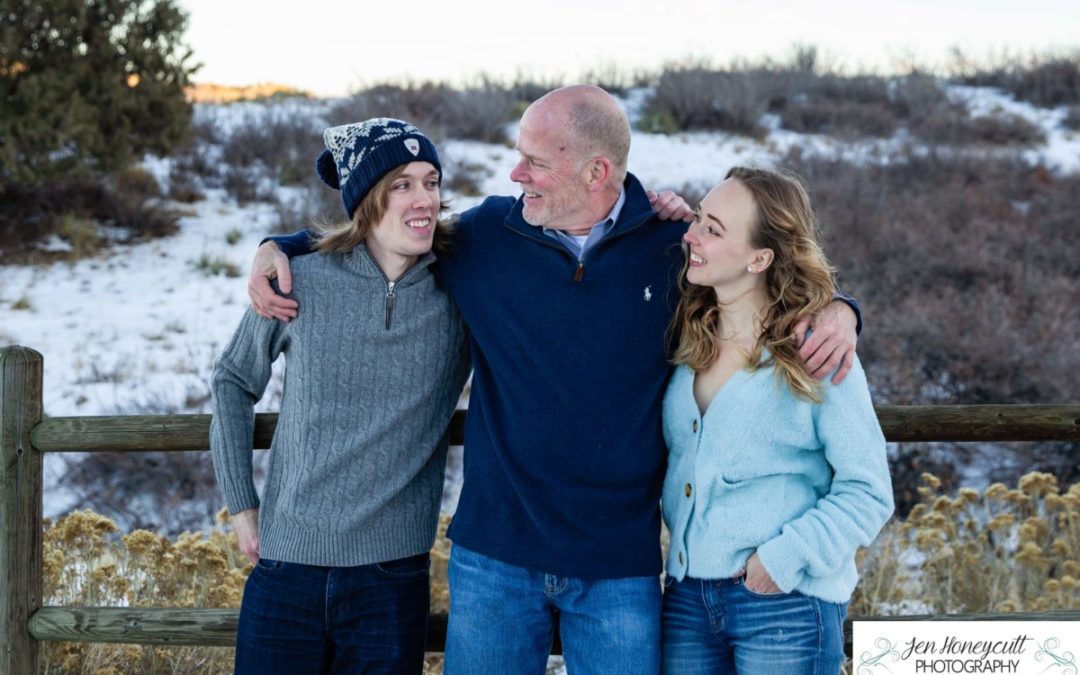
(503, 619)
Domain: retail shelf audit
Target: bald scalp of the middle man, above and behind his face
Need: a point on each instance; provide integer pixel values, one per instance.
(596, 124)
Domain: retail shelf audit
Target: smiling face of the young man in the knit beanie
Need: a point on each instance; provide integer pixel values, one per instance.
(407, 231)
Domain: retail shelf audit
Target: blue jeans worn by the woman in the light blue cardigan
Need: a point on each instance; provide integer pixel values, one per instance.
(722, 627)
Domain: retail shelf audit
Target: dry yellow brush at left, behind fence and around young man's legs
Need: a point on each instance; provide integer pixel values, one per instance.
(89, 563)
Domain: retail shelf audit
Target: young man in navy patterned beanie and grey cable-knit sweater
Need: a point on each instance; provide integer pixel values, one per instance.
(342, 535)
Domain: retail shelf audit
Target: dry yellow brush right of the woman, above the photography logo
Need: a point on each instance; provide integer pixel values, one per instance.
(1002, 550)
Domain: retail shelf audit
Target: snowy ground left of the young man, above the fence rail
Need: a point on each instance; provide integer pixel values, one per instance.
(140, 325)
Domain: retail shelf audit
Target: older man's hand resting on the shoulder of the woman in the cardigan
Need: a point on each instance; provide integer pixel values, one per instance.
(832, 346)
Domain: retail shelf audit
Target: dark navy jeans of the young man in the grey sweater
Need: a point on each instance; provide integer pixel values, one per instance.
(306, 619)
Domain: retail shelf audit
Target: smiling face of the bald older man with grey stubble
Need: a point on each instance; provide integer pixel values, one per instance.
(549, 171)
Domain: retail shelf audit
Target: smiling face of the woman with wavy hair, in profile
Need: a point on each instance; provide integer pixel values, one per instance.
(720, 242)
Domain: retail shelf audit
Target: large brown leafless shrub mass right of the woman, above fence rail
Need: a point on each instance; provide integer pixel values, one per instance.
(967, 272)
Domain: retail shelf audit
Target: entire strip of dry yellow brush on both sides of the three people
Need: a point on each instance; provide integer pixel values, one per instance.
(1003, 550)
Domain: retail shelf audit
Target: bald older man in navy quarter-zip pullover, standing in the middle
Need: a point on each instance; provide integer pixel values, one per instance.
(566, 292)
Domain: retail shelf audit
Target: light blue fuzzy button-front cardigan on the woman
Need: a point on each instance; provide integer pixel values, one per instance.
(803, 484)
